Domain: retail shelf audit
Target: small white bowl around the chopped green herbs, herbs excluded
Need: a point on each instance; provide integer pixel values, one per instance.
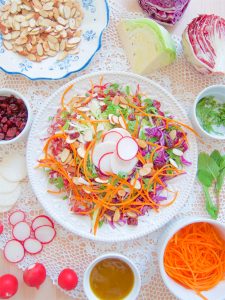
(217, 91)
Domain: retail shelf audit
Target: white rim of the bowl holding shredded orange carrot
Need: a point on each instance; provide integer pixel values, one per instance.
(168, 234)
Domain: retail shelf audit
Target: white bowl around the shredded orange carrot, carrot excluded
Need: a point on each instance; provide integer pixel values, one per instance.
(218, 292)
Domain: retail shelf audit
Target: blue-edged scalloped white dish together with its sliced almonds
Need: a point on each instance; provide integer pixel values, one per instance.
(50, 39)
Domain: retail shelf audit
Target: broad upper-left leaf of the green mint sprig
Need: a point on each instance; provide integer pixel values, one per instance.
(206, 163)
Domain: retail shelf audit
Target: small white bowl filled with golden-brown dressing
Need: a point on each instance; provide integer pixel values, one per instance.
(112, 277)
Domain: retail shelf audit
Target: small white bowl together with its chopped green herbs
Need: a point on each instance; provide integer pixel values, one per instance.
(208, 114)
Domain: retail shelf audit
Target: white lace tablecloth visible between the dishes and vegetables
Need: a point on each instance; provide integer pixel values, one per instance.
(72, 251)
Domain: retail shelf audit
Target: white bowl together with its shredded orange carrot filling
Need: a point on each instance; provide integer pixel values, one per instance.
(192, 259)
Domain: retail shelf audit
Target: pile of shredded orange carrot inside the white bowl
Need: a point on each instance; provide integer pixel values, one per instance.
(195, 257)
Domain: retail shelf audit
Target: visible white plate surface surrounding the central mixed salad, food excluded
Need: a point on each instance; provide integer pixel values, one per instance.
(81, 225)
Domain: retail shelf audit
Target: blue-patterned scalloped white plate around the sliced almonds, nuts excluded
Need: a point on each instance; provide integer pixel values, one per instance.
(96, 18)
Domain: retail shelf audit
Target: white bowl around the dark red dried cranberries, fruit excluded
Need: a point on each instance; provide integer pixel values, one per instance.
(24, 132)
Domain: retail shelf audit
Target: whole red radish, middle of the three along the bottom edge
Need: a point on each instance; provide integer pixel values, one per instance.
(34, 275)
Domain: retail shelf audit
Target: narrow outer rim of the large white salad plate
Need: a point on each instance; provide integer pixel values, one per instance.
(54, 215)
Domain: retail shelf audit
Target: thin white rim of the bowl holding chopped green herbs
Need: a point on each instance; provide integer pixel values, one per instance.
(198, 98)
